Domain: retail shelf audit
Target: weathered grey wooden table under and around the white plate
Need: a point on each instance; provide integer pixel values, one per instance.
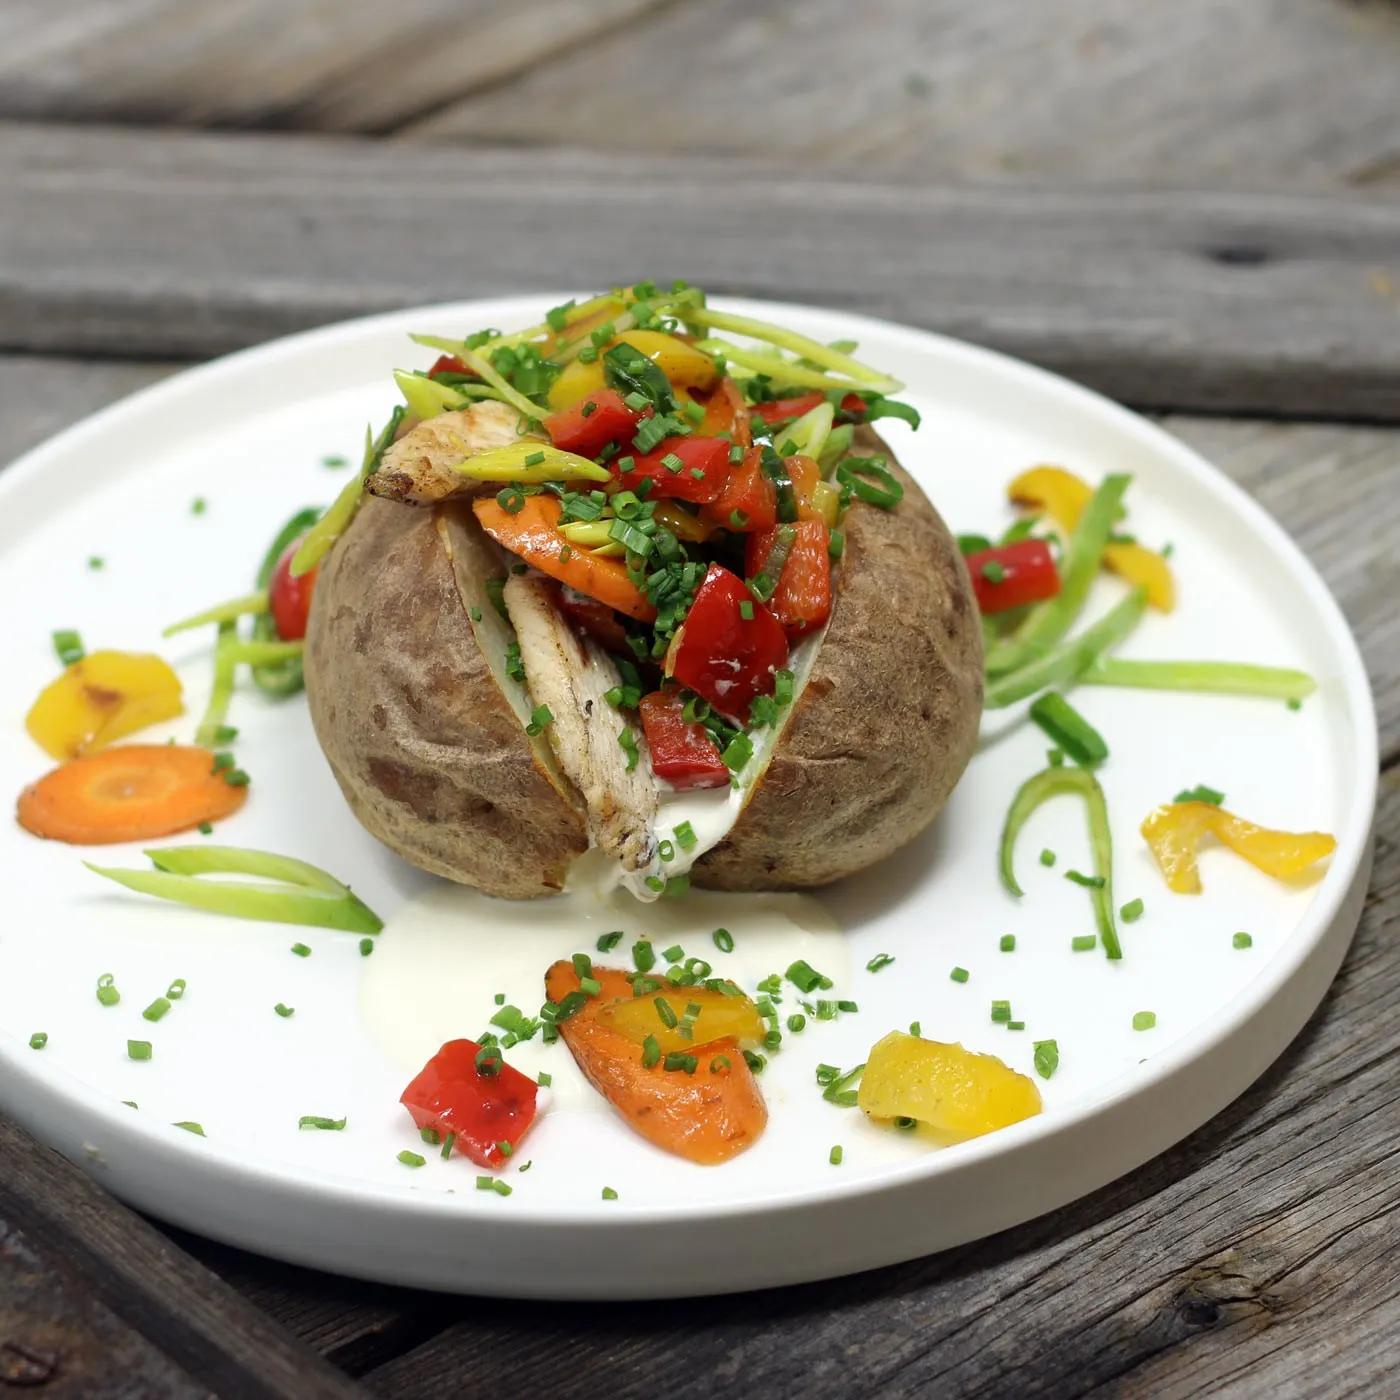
(1188, 204)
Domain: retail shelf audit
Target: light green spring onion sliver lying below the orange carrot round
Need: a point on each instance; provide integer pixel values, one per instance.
(300, 894)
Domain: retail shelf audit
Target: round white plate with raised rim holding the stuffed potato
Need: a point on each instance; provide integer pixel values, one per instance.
(248, 435)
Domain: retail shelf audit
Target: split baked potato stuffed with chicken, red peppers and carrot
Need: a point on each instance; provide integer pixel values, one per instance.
(478, 716)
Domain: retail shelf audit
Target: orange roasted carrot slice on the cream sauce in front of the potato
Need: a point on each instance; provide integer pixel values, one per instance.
(708, 1116)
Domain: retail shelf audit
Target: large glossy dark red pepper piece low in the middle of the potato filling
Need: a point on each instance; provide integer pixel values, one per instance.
(729, 647)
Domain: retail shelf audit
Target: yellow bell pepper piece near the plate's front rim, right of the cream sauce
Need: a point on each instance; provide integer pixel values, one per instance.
(957, 1093)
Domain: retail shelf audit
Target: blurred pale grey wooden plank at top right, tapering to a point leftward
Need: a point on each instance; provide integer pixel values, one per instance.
(1161, 92)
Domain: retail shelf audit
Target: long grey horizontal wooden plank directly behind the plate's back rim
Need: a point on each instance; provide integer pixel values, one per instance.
(141, 244)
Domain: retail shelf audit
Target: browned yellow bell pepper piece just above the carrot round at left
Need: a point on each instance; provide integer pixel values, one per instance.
(101, 699)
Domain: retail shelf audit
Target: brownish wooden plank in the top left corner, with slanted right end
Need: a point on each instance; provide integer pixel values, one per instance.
(304, 64)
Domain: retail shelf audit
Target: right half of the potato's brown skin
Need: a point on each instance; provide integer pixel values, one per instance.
(890, 716)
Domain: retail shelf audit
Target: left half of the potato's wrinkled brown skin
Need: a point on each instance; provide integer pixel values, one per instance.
(425, 745)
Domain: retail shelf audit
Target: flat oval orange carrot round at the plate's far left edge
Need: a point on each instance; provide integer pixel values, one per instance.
(128, 794)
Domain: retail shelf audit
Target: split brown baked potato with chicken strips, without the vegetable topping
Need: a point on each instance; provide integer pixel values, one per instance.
(433, 653)
